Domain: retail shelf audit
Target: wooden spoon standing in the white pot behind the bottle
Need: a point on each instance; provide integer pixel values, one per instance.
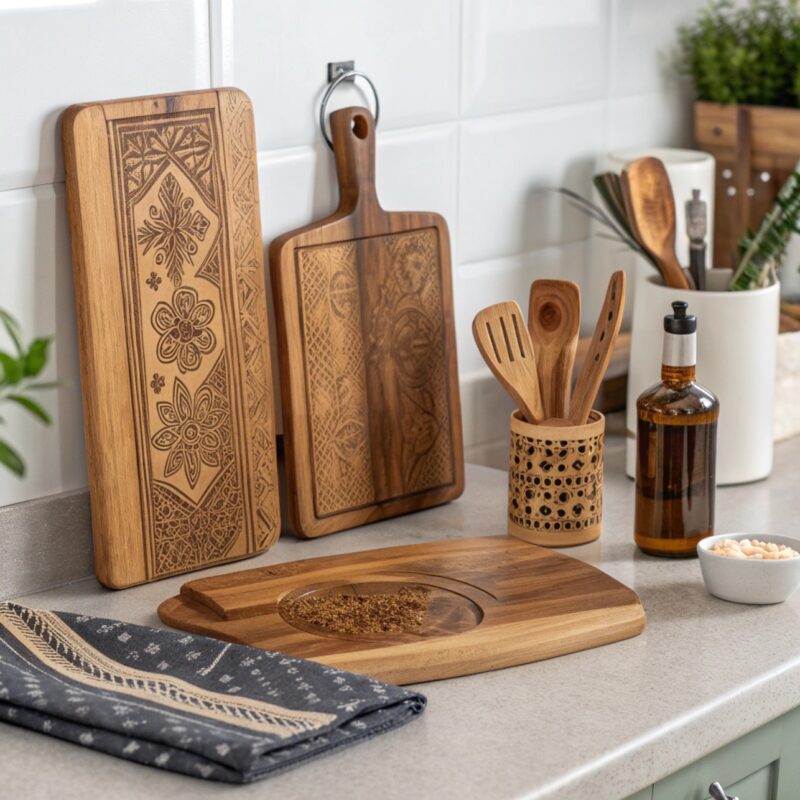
(648, 197)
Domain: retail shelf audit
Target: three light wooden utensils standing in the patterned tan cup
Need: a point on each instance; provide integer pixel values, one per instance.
(534, 363)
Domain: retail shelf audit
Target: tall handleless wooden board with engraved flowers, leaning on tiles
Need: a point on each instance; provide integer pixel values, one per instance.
(175, 363)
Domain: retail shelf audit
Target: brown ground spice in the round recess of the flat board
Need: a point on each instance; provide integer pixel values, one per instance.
(403, 612)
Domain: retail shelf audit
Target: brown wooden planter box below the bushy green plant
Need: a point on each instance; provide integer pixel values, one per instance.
(756, 148)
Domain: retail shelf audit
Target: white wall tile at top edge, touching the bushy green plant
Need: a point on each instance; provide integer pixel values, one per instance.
(645, 39)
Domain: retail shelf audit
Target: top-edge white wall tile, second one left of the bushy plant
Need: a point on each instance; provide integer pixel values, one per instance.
(522, 54)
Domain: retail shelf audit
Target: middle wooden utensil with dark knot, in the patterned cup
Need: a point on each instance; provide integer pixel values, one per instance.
(554, 321)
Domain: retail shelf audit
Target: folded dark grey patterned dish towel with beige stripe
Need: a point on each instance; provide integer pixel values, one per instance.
(186, 703)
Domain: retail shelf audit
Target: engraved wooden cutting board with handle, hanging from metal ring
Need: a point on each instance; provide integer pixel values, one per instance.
(369, 382)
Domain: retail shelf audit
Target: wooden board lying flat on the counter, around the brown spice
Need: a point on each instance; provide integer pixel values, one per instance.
(493, 602)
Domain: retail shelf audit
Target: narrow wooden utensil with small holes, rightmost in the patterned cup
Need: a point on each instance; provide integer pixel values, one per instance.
(600, 351)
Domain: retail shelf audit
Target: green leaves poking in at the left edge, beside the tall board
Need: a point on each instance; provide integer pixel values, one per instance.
(18, 372)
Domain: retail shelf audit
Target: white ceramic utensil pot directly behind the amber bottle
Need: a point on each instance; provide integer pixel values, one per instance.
(737, 334)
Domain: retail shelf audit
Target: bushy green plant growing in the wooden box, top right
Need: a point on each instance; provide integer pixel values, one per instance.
(746, 54)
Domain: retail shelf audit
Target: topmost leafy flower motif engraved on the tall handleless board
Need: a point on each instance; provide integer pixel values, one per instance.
(173, 229)
